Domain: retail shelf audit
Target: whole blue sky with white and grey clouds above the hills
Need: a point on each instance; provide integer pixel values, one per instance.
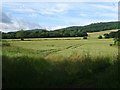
(55, 15)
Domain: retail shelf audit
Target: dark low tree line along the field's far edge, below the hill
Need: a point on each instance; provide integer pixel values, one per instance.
(42, 34)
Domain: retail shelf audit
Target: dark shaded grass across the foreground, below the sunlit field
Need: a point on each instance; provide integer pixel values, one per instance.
(25, 72)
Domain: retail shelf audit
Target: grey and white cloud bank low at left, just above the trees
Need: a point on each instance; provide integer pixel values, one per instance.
(9, 24)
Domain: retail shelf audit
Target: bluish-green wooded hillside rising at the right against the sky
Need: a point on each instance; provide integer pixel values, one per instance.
(94, 27)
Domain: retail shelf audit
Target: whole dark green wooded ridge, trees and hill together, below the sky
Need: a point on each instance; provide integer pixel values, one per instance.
(73, 31)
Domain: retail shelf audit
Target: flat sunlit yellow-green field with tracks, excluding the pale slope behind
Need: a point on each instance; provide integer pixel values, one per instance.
(67, 47)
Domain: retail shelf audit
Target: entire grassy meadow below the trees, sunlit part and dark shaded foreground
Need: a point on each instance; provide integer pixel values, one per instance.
(60, 62)
